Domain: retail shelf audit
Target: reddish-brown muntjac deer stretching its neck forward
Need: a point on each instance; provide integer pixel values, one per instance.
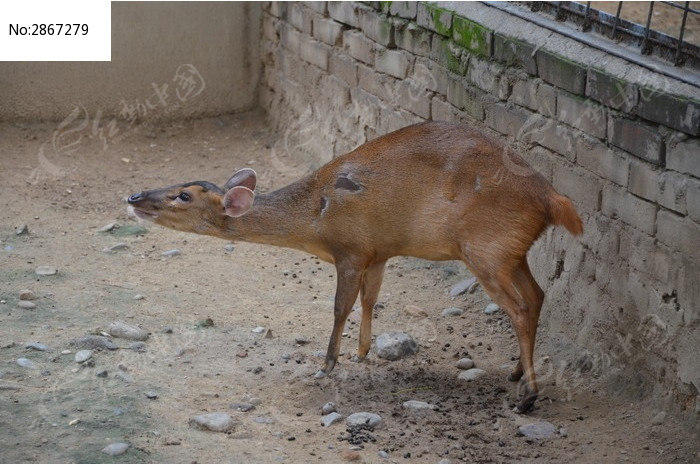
(438, 191)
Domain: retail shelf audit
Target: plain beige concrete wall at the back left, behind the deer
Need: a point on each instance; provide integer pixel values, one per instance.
(150, 42)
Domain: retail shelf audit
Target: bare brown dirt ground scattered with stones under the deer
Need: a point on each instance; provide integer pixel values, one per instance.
(62, 412)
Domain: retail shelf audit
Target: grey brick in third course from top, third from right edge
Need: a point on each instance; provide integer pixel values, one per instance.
(601, 160)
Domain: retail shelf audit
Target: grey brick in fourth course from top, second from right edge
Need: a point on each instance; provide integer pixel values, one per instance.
(617, 203)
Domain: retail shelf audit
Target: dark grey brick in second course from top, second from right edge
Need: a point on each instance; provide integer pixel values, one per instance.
(637, 138)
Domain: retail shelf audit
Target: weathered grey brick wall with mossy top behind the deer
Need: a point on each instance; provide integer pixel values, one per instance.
(623, 301)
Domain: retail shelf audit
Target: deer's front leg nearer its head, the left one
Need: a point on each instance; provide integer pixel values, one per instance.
(349, 280)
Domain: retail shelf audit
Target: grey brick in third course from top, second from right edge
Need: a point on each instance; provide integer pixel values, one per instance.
(667, 188)
